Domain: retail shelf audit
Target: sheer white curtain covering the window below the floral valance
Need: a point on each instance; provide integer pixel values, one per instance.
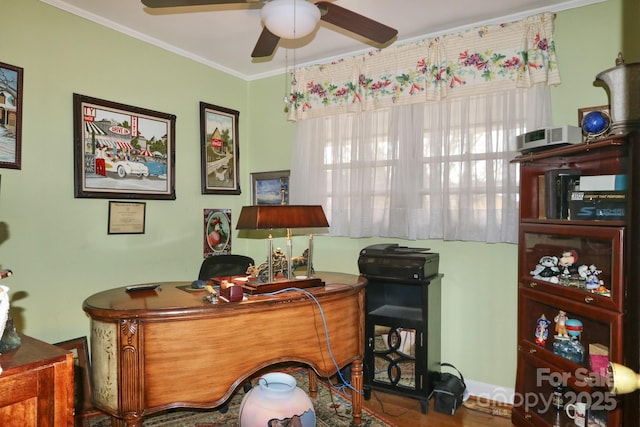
(437, 170)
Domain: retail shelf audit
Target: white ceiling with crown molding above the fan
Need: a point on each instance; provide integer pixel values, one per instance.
(223, 36)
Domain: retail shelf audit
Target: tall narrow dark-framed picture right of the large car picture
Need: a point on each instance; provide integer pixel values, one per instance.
(219, 150)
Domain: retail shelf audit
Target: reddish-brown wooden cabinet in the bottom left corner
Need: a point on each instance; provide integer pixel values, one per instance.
(36, 386)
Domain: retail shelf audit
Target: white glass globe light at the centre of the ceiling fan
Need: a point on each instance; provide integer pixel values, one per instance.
(290, 19)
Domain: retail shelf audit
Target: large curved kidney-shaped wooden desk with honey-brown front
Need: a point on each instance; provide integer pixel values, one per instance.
(155, 350)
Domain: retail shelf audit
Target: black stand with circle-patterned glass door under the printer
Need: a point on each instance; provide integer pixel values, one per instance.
(402, 333)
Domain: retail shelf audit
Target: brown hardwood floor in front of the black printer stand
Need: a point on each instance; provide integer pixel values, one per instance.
(405, 412)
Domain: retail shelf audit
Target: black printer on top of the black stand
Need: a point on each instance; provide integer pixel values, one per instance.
(394, 262)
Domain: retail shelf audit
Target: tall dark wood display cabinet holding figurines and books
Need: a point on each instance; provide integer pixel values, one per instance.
(578, 281)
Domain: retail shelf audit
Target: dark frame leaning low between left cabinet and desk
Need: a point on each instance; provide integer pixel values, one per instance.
(82, 373)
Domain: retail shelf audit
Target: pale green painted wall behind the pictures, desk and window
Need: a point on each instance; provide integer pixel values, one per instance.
(58, 246)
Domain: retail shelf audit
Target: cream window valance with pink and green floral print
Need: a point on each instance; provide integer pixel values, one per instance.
(477, 61)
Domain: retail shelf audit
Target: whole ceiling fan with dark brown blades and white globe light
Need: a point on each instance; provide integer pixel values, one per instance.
(291, 19)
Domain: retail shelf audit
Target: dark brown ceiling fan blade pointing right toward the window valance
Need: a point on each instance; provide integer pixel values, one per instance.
(356, 23)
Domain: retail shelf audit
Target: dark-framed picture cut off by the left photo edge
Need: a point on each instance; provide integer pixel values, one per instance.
(10, 116)
